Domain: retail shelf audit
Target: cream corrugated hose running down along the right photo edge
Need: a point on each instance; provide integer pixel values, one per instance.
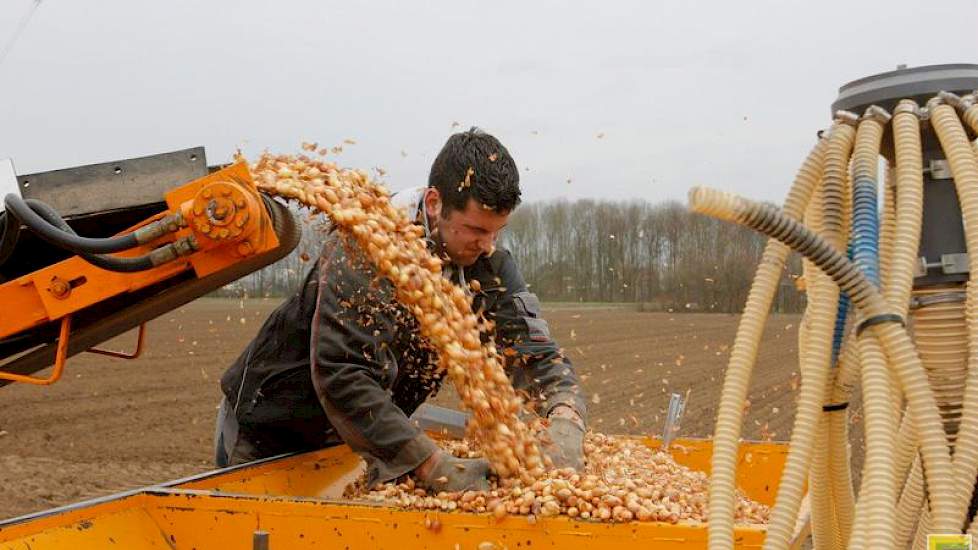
(964, 168)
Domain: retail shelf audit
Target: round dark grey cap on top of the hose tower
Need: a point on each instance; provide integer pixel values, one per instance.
(918, 83)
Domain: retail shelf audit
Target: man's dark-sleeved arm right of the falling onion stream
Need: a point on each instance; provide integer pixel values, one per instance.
(523, 336)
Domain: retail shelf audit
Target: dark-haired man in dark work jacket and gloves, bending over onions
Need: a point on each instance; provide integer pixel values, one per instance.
(343, 361)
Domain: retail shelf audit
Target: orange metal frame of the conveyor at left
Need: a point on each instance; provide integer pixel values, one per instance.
(39, 298)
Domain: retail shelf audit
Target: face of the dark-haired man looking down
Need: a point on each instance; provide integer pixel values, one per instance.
(463, 235)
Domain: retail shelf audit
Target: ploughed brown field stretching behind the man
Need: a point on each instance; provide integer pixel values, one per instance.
(112, 424)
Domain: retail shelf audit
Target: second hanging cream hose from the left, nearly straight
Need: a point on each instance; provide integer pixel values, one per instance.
(815, 362)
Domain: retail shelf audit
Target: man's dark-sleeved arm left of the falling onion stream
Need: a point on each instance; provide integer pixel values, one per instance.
(352, 368)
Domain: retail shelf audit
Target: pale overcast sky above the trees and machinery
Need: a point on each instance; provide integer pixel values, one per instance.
(728, 94)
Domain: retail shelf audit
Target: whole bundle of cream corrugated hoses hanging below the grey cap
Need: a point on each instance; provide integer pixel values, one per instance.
(920, 396)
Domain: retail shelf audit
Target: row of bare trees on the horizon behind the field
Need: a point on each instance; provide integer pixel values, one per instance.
(659, 256)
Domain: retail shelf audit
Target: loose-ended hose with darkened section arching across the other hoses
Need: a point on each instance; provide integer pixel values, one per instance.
(893, 336)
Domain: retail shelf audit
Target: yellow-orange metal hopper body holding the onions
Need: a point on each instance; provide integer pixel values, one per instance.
(296, 501)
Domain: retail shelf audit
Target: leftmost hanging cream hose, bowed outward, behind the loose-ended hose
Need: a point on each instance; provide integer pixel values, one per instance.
(730, 414)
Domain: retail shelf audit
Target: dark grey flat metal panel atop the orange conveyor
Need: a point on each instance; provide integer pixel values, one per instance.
(108, 186)
